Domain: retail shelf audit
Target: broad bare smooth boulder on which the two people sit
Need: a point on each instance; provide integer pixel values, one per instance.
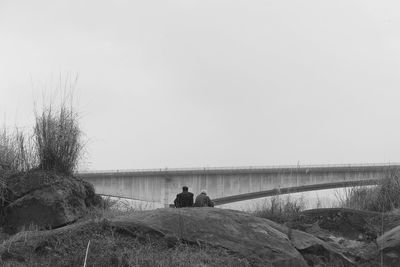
(239, 232)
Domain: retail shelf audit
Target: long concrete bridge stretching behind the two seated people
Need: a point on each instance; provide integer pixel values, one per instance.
(226, 185)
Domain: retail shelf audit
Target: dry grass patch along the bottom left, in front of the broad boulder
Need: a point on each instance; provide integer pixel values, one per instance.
(111, 248)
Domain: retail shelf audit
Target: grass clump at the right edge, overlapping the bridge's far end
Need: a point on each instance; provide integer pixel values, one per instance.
(383, 198)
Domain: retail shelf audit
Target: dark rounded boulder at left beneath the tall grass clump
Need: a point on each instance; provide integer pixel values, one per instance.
(44, 200)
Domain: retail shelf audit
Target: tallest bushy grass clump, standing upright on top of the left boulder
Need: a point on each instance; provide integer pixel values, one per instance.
(57, 138)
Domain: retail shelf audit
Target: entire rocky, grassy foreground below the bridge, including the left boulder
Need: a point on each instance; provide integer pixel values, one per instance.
(32, 203)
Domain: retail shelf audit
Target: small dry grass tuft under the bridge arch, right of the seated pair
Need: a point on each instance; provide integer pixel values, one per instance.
(280, 209)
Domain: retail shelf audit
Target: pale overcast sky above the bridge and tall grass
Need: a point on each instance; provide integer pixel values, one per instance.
(176, 84)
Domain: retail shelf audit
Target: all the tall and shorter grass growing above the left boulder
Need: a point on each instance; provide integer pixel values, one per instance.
(54, 144)
